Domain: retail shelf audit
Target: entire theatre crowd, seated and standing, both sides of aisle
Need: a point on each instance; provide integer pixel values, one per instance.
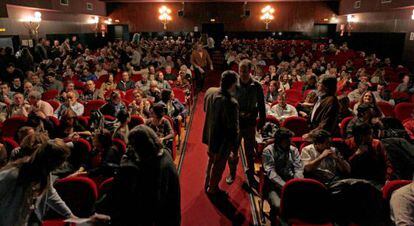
(138, 94)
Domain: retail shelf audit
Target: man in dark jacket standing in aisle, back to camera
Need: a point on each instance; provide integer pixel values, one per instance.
(221, 128)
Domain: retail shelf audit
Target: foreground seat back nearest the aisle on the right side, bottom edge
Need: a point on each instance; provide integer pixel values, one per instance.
(305, 200)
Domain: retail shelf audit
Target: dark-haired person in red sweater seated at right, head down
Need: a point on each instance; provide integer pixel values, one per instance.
(368, 158)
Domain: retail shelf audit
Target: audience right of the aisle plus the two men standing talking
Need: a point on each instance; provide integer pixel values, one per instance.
(321, 84)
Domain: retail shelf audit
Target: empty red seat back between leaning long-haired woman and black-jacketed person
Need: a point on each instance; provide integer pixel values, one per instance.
(79, 193)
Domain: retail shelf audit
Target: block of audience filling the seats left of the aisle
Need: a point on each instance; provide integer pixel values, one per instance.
(117, 96)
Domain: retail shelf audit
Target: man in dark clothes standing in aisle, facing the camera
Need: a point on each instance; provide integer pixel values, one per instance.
(251, 101)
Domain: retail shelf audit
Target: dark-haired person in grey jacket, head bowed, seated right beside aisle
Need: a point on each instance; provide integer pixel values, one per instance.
(281, 162)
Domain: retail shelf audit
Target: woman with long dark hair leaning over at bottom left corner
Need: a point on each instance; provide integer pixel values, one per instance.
(26, 183)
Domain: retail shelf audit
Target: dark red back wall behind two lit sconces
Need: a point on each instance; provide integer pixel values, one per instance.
(289, 16)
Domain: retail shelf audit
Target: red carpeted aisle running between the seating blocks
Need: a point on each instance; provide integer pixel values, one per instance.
(196, 208)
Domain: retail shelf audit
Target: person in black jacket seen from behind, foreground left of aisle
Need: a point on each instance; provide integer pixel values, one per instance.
(146, 190)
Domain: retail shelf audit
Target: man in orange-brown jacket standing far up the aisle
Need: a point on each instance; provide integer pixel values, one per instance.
(201, 61)
